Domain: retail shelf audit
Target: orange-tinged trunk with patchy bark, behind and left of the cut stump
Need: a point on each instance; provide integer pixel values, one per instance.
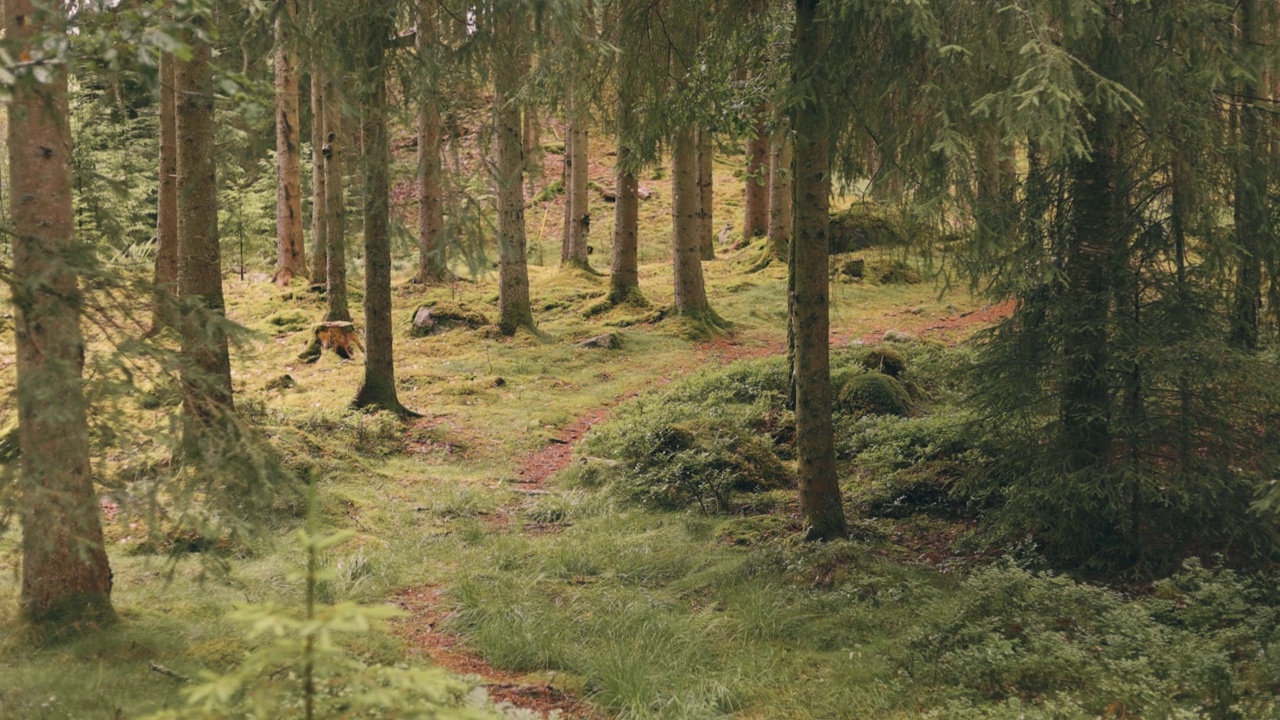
(291, 256)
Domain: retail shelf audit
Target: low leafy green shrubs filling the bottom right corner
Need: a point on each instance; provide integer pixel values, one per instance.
(1016, 637)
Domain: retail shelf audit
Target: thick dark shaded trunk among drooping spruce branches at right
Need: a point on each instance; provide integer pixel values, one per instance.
(1089, 266)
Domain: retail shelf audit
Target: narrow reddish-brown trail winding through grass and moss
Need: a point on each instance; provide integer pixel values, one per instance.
(424, 628)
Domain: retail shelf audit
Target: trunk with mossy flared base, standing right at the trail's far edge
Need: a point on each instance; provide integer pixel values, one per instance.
(691, 298)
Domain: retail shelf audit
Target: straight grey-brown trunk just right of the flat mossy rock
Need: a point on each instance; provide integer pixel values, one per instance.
(514, 308)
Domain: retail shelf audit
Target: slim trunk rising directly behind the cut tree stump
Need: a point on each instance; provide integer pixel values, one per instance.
(336, 204)
